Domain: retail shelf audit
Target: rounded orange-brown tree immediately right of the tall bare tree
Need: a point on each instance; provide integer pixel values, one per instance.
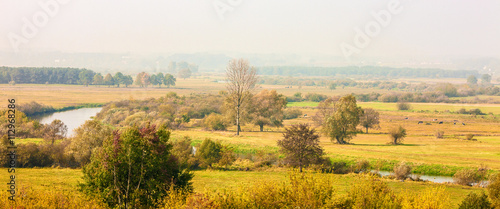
(268, 109)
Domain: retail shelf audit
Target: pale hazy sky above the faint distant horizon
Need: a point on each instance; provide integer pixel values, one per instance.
(420, 28)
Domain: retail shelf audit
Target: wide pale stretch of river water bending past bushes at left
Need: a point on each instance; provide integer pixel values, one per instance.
(71, 118)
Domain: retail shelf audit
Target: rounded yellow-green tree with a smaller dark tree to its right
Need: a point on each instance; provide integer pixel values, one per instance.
(341, 125)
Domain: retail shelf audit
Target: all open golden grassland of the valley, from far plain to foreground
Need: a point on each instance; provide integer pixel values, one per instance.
(428, 154)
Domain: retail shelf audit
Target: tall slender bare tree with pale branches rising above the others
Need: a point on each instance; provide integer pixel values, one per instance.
(241, 79)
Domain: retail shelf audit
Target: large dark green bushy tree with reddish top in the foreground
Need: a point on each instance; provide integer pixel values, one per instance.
(134, 169)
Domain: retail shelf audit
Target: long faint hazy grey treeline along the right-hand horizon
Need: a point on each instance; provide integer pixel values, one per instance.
(366, 70)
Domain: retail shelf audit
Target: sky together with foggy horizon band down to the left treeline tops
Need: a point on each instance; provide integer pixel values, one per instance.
(143, 34)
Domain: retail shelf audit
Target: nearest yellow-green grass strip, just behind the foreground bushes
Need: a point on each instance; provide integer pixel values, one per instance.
(213, 181)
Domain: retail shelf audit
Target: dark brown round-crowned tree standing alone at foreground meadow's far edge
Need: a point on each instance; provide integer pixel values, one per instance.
(300, 145)
